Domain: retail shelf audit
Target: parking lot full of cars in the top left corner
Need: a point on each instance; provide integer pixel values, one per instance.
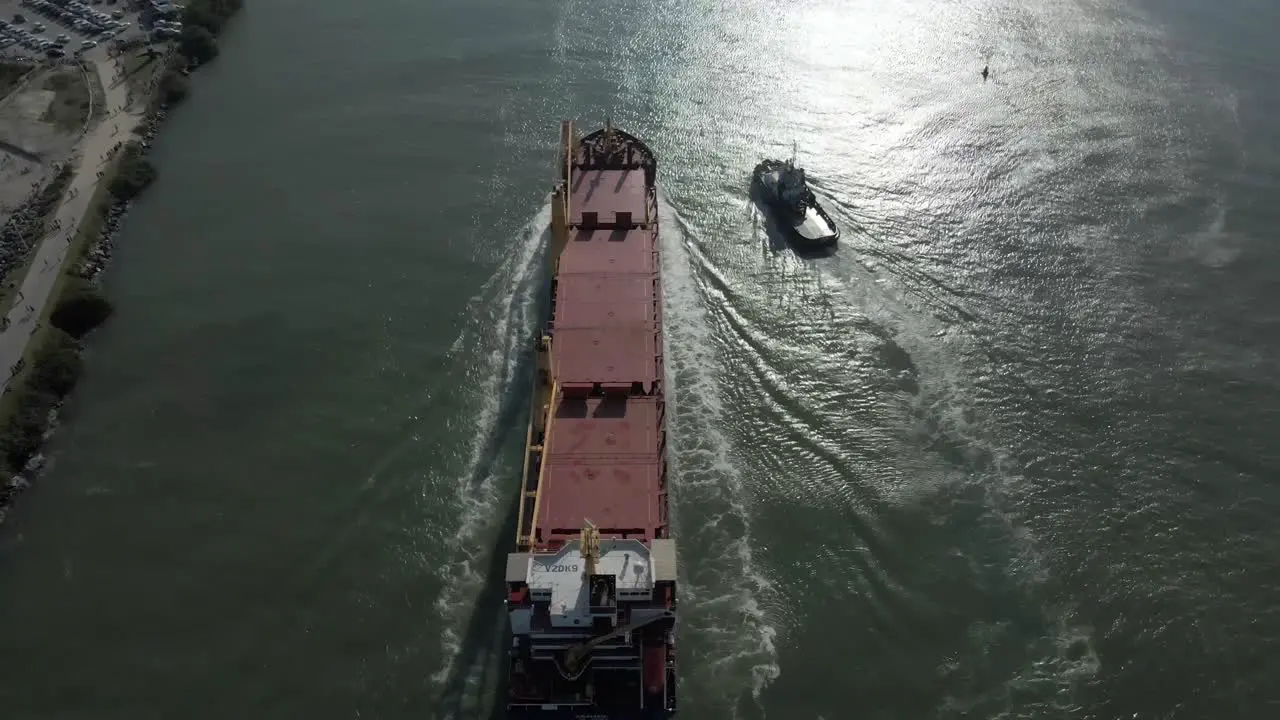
(65, 29)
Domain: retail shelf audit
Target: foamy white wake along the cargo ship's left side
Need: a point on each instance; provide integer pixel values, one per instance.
(468, 609)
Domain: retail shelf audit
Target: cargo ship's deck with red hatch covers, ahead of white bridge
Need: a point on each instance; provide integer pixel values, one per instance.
(604, 459)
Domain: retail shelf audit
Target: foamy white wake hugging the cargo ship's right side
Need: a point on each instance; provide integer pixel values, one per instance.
(728, 634)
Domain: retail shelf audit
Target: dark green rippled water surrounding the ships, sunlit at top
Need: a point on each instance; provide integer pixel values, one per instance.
(1008, 454)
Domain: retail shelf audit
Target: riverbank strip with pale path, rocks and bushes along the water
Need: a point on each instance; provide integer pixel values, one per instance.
(60, 302)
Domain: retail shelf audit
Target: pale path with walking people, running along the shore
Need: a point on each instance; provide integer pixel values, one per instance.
(90, 157)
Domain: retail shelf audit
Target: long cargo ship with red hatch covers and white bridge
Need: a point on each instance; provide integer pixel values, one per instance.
(592, 585)
